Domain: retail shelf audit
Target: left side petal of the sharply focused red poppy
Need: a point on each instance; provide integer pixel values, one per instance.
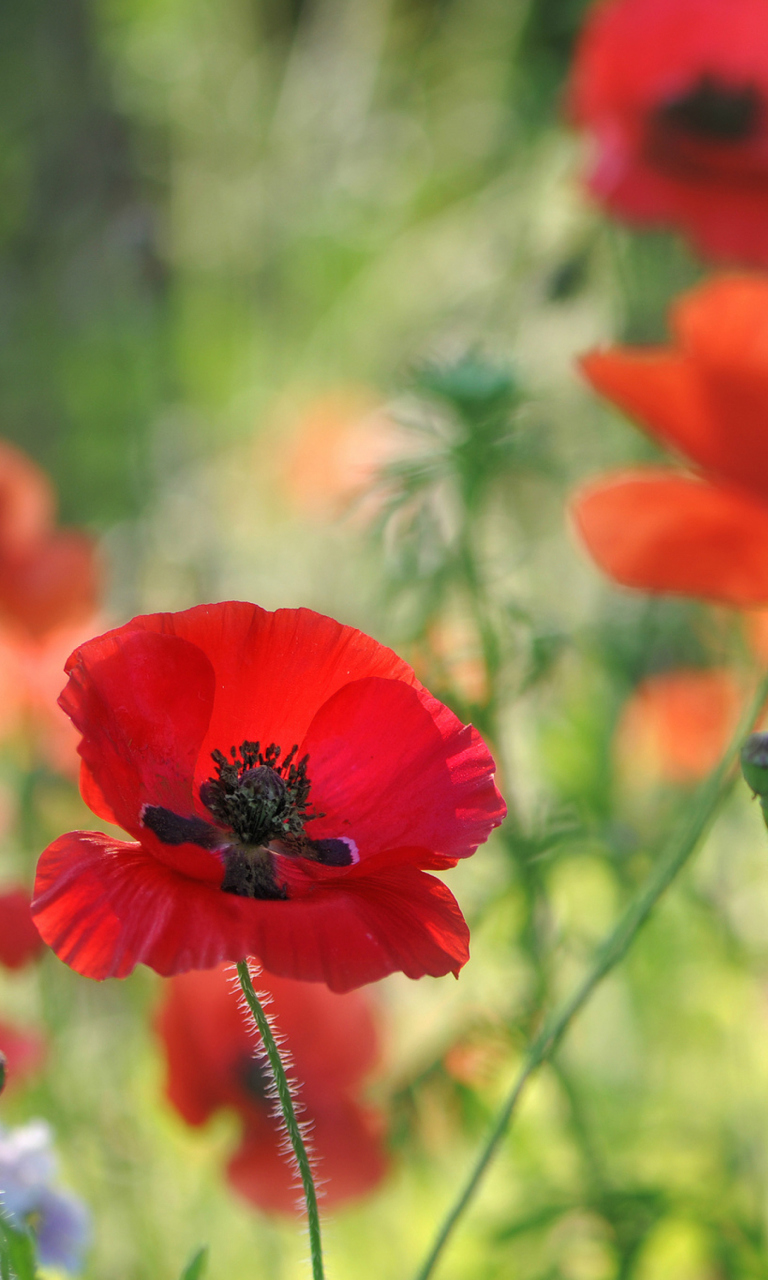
(143, 703)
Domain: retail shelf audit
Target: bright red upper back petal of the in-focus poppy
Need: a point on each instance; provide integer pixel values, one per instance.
(273, 670)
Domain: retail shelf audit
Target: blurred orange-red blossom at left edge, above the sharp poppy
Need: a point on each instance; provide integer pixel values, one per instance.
(48, 575)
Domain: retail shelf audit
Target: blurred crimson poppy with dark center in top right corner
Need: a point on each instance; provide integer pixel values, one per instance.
(675, 98)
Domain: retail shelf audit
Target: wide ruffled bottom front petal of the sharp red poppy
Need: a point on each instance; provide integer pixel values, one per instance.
(104, 907)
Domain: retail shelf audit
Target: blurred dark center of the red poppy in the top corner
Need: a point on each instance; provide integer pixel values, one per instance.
(714, 112)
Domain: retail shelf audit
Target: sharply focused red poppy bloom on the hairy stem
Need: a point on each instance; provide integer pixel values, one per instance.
(305, 845)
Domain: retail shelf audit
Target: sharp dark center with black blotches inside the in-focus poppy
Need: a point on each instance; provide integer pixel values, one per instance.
(263, 806)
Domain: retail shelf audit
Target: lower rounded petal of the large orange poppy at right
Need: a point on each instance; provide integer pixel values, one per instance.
(662, 533)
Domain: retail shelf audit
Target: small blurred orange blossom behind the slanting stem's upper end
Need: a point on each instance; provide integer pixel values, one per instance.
(676, 726)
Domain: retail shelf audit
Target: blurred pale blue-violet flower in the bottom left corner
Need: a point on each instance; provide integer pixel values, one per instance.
(60, 1222)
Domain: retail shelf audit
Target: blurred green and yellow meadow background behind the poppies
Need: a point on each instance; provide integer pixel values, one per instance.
(291, 294)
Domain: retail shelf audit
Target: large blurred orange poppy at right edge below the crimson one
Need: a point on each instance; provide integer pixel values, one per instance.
(707, 399)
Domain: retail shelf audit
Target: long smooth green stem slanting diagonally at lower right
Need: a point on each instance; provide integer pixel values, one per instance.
(609, 956)
